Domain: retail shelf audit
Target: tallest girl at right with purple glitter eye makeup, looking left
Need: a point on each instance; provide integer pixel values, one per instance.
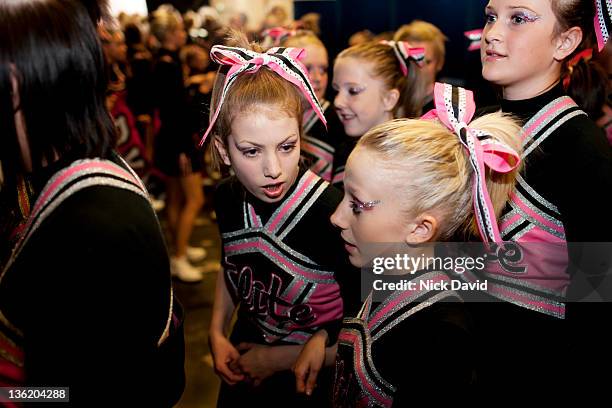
(525, 49)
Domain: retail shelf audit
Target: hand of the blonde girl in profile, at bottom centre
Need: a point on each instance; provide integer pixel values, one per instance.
(309, 363)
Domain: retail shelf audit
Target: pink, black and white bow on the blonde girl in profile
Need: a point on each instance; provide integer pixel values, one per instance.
(455, 108)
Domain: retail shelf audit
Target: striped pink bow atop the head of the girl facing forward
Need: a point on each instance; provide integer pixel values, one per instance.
(283, 61)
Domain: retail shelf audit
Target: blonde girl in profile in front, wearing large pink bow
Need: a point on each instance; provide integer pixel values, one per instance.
(416, 182)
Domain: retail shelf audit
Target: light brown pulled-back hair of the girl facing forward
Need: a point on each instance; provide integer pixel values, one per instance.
(251, 93)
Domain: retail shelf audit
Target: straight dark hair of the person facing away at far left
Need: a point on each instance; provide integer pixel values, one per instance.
(52, 51)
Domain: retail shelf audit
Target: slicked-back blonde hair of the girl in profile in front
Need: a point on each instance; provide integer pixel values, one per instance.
(434, 171)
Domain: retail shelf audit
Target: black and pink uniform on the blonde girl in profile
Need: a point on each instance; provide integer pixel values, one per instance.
(413, 342)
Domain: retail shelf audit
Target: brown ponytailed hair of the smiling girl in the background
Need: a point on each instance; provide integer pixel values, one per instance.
(384, 65)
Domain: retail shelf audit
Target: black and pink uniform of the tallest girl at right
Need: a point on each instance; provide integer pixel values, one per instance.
(557, 200)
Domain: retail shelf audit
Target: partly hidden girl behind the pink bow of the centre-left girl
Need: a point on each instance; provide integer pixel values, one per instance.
(319, 142)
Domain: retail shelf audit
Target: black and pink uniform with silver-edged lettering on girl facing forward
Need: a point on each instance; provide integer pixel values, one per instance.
(282, 266)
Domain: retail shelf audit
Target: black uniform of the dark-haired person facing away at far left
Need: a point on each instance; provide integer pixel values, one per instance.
(86, 297)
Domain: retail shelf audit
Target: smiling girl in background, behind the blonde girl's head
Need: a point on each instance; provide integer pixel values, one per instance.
(375, 82)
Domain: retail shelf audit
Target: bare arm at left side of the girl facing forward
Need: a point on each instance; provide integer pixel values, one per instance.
(224, 353)
